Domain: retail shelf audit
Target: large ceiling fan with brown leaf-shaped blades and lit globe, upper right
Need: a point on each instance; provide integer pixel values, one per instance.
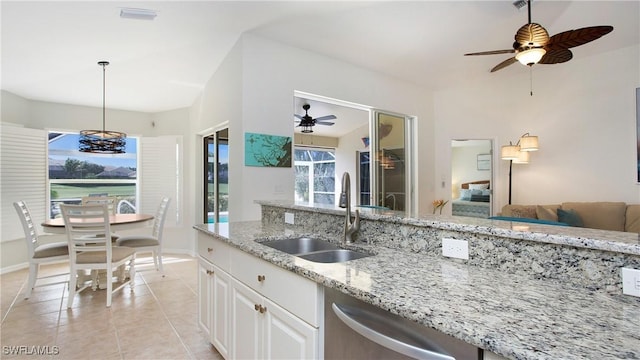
(534, 46)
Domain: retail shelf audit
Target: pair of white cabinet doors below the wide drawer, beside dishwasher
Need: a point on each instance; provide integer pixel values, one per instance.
(263, 330)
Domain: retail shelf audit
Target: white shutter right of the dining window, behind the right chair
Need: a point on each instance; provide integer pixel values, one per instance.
(161, 175)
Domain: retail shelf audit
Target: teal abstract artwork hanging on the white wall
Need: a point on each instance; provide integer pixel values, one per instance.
(267, 150)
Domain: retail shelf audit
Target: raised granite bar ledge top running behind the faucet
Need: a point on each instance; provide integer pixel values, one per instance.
(615, 241)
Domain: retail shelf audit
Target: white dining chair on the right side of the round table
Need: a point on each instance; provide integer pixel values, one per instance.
(150, 242)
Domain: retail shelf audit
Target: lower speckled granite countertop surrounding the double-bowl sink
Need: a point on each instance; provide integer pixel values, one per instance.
(512, 315)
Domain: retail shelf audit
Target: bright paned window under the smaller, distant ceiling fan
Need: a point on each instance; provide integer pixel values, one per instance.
(315, 176)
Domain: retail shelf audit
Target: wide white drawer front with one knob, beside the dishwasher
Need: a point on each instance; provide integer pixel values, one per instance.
(298, 295)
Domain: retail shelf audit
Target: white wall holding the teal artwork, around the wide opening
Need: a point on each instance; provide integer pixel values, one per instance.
(271, 72)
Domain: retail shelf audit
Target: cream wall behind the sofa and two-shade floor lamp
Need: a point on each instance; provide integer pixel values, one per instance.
(583, 112)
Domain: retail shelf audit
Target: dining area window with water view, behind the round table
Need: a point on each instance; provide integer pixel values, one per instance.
(73, 175)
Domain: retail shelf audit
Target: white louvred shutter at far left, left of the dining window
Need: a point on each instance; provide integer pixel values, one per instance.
(23, 176)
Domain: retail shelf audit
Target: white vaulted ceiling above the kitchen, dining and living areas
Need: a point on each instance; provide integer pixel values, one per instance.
(50, 49)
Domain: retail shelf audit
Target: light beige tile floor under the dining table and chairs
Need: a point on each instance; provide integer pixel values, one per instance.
(158, 320)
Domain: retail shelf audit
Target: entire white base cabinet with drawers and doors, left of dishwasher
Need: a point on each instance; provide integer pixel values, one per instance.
(253, 309)
